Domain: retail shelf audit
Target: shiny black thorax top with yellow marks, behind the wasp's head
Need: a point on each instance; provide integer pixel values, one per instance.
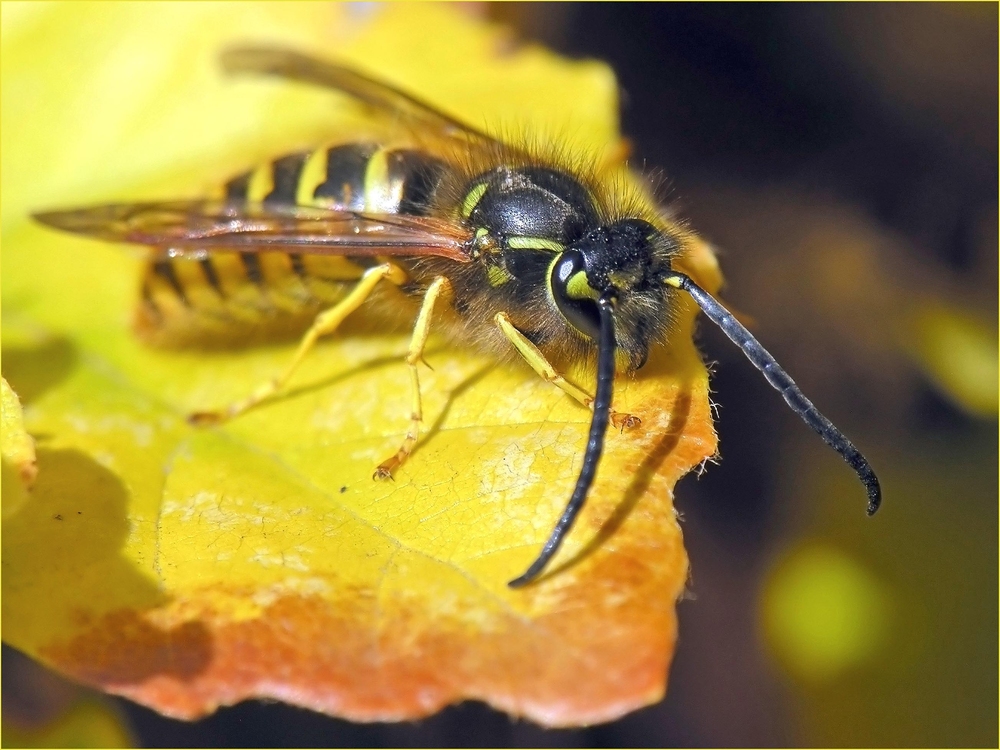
(530, 208)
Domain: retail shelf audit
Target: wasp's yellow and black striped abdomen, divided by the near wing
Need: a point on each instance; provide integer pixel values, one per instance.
(239, 298)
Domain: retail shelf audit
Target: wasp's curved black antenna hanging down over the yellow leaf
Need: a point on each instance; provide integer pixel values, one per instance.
(595, 443)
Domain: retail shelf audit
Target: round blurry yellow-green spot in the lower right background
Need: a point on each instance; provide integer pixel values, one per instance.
(823, 613)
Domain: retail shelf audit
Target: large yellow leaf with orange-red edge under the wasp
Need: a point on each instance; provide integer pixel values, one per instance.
(196, 568)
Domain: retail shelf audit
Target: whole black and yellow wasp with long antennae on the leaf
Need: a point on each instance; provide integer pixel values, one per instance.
(516, 251)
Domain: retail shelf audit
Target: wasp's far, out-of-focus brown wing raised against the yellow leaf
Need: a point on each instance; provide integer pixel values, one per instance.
(378, 94)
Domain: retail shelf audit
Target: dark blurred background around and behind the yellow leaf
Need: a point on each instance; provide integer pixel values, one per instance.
(843, 160)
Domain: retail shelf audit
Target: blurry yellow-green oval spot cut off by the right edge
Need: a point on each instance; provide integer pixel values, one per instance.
(959, 354)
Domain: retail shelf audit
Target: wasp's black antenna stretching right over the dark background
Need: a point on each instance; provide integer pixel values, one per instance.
(783, 383)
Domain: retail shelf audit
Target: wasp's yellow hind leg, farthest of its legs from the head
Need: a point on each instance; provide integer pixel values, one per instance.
(326, 323)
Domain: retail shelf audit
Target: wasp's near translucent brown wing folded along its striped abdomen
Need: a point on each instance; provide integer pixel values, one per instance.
(197, 227)
